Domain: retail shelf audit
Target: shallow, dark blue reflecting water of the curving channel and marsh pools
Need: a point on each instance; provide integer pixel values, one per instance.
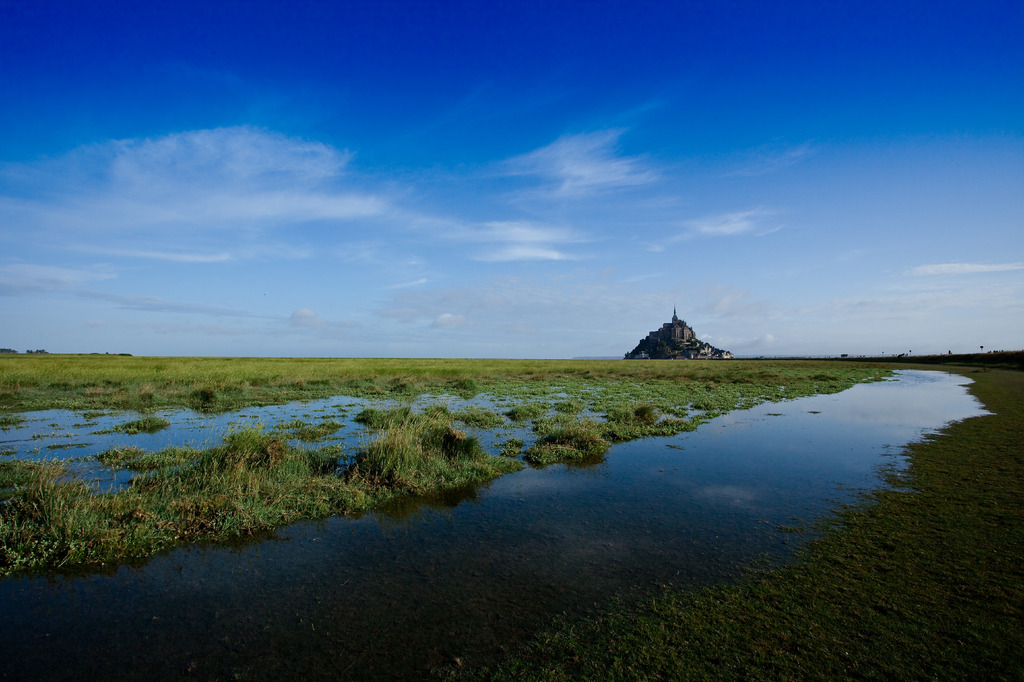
(392, 595)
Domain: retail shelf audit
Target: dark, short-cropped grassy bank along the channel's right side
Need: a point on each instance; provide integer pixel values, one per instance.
(924, 581)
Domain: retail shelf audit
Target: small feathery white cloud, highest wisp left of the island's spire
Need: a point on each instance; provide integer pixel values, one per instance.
(578, 165)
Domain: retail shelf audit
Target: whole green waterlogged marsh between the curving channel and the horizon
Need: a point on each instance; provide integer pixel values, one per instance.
(259, 479)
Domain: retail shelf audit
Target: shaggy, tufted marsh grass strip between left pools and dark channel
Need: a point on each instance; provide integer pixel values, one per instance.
(253, 483)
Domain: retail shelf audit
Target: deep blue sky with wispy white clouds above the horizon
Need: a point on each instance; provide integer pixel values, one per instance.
(530, 180)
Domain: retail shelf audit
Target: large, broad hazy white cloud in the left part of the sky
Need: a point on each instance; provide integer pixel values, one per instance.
(238, 183)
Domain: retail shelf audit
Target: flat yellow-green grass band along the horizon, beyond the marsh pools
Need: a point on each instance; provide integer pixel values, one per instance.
(221, 385)
